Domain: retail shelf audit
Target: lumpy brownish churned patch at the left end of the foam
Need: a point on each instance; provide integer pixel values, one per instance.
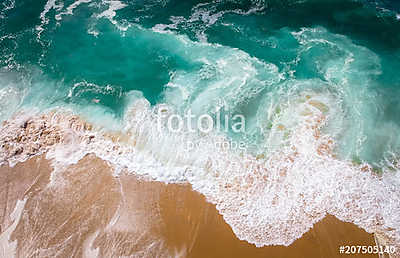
(22, 138)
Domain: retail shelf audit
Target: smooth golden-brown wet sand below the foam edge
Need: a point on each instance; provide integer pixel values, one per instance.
(83, 211)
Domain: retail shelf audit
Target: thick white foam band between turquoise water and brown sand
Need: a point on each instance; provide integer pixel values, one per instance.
(267, 201)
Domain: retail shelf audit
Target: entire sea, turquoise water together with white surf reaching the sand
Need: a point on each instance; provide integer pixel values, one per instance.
(317, 83)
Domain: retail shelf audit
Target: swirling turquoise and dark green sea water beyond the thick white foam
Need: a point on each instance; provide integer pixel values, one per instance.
(256, 58)
